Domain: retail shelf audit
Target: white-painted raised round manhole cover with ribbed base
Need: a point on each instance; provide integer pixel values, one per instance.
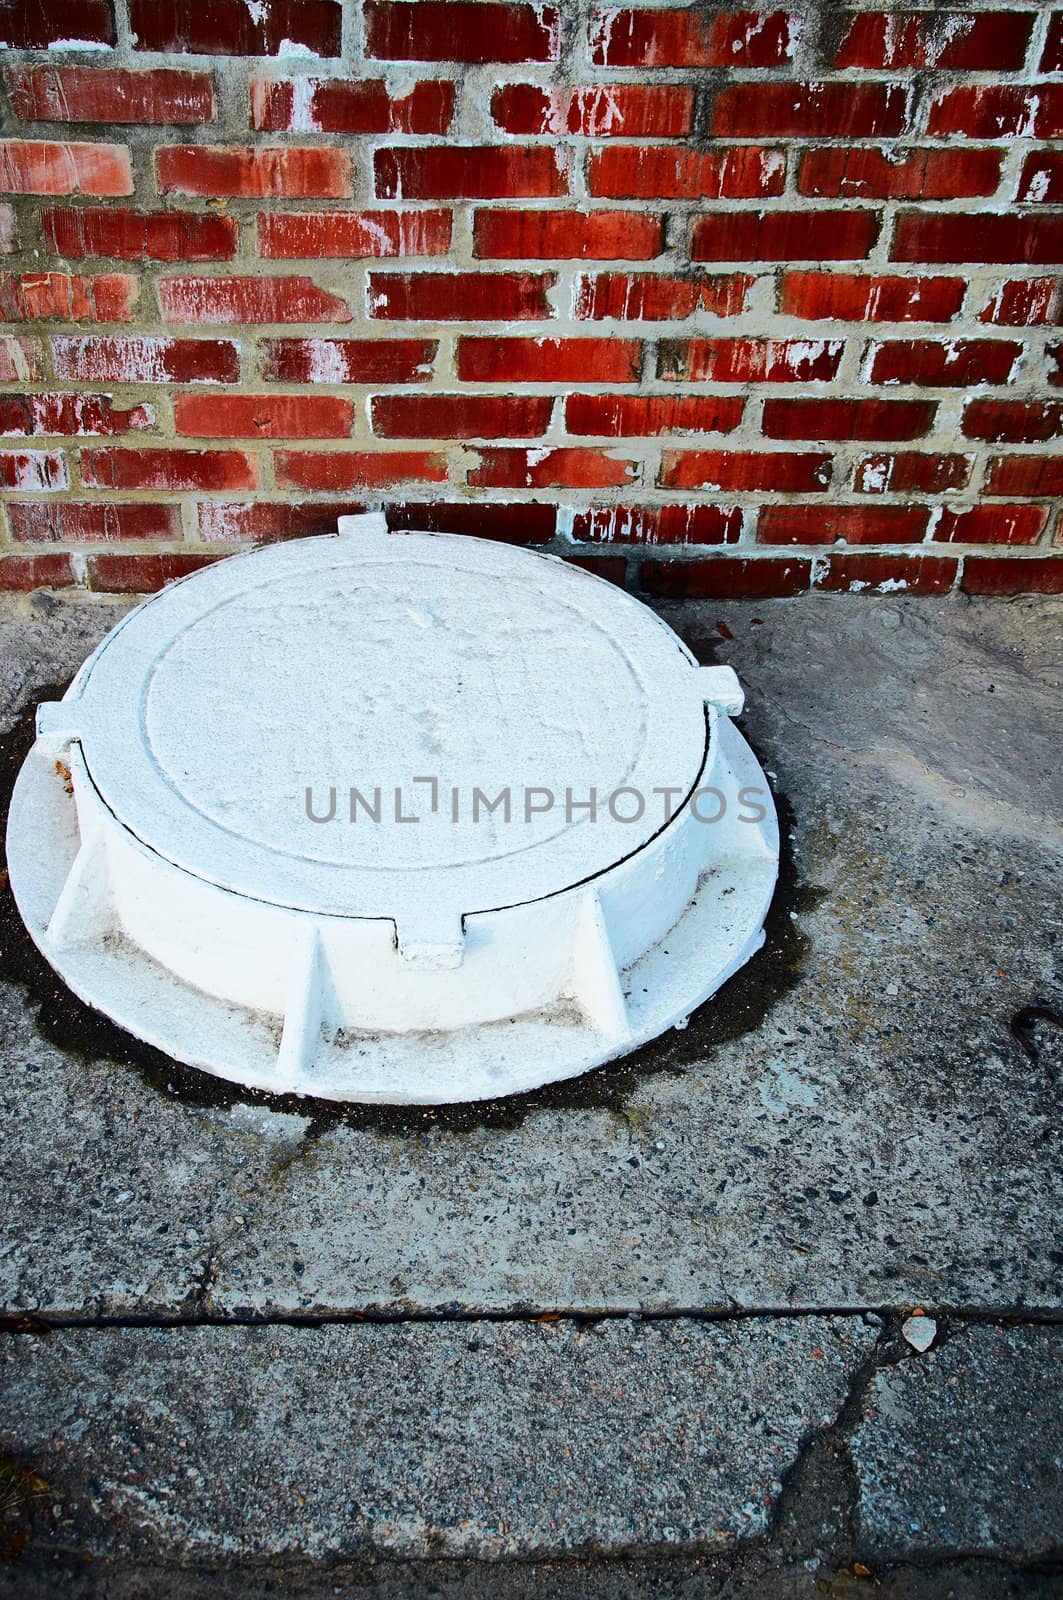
(393, 818)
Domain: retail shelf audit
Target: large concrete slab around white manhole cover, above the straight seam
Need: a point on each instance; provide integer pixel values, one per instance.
(851, 1124)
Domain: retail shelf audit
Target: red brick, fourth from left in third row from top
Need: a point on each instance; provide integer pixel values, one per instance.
(644, 172)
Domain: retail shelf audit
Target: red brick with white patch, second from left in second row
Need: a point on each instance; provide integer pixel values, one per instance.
(350, 106)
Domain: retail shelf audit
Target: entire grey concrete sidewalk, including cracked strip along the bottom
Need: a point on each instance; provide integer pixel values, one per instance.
(636, 1335)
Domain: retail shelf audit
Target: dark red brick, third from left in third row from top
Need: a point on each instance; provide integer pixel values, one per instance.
(479, 172)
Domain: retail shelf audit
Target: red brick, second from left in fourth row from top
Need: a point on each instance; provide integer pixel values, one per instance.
(353, 234)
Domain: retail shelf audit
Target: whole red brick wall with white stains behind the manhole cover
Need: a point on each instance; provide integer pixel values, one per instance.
(716, 302)
